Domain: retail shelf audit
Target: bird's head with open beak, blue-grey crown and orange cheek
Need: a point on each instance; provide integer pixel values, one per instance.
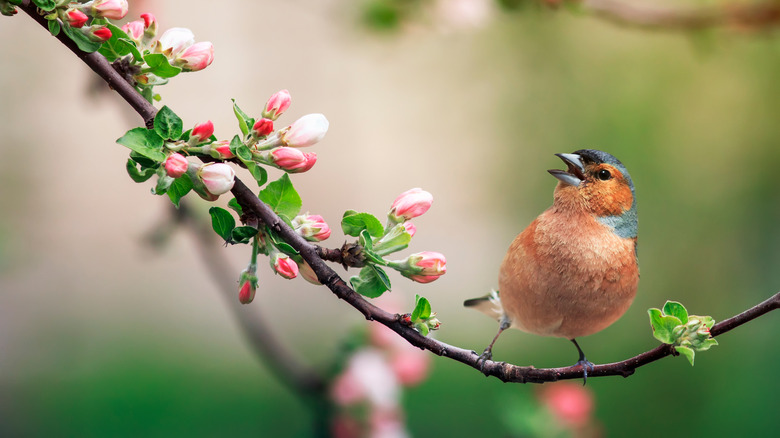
(599, 183)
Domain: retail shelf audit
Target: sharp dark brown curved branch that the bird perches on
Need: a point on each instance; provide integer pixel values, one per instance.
(503, 371)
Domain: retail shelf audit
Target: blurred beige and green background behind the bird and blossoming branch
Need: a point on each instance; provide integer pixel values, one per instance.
(103, 335)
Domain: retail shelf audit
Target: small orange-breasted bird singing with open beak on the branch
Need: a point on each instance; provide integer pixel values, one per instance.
(574, 270)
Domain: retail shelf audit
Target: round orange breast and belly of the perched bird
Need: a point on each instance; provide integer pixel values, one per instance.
(567, 275)
